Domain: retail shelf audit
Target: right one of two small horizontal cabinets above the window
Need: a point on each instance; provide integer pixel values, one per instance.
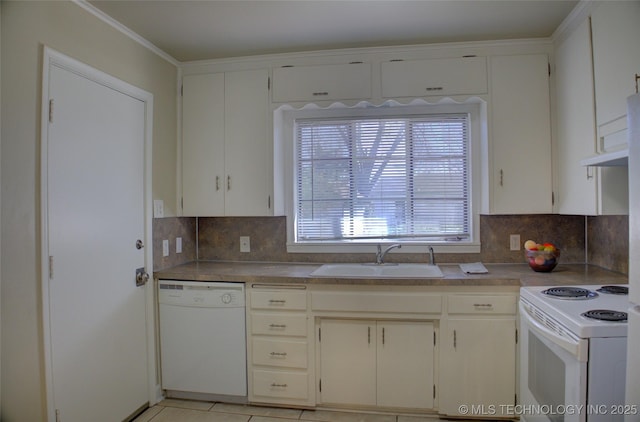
(420, 78)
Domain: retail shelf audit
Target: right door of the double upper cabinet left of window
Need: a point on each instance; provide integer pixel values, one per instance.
(247, 147)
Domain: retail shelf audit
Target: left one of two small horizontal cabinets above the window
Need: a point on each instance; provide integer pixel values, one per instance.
(325, 82)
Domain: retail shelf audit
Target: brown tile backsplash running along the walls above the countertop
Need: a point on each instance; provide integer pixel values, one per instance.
(602, 241)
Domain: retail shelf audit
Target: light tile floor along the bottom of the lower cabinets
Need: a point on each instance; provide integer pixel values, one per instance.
(172, 410)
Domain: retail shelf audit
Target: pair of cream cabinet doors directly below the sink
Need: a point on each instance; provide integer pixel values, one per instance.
(376, 363)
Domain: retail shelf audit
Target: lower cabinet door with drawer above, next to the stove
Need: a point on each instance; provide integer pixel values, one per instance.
(478, 357)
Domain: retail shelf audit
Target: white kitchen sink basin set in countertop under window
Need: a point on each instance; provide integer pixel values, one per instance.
(378, 271)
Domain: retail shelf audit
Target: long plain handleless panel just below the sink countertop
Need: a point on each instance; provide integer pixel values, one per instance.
(377, 302)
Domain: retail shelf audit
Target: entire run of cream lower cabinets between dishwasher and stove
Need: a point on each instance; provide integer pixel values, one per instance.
(415, 349)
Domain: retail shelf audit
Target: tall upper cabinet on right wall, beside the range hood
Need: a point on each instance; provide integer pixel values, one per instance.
(582, 190)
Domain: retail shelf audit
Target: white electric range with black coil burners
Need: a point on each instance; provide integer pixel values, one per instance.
(573, 353)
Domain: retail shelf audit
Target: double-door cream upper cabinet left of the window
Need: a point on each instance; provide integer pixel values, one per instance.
(226, 149)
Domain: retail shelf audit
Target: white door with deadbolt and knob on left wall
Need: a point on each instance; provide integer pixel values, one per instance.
(95, 213)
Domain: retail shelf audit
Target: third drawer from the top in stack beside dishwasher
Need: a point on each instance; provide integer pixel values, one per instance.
(285, 353)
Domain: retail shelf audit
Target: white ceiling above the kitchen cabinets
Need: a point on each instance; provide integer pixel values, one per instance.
(210, 29)
